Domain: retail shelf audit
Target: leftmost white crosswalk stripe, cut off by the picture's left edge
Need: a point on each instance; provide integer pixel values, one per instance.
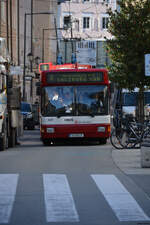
(8, 186)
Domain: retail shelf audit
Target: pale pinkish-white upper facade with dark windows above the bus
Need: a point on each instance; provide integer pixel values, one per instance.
(85, 19)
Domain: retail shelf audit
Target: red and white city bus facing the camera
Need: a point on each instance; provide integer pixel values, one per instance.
(75, 103)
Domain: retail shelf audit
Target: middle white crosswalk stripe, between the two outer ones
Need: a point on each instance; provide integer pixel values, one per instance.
(60, 206)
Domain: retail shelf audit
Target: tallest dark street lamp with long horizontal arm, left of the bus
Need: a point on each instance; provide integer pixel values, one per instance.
(24, 68)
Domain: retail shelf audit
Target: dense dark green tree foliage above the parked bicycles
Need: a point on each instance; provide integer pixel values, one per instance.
(130, 28)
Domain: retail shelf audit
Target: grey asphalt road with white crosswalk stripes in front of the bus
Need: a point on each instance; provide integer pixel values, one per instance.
(69, 184)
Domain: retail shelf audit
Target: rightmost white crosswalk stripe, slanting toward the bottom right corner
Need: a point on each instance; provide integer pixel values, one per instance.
(120, 200)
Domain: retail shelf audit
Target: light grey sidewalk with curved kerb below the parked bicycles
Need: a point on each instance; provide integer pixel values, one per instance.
(129, 161)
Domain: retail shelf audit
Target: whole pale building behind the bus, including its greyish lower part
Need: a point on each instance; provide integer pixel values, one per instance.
(84, 20)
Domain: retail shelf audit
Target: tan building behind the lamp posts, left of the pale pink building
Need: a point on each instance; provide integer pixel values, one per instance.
(42, 18)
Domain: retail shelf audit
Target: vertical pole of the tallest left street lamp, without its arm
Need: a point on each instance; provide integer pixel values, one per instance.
(24, 67)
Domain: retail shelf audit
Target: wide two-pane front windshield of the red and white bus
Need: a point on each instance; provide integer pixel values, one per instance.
(75, 100)
